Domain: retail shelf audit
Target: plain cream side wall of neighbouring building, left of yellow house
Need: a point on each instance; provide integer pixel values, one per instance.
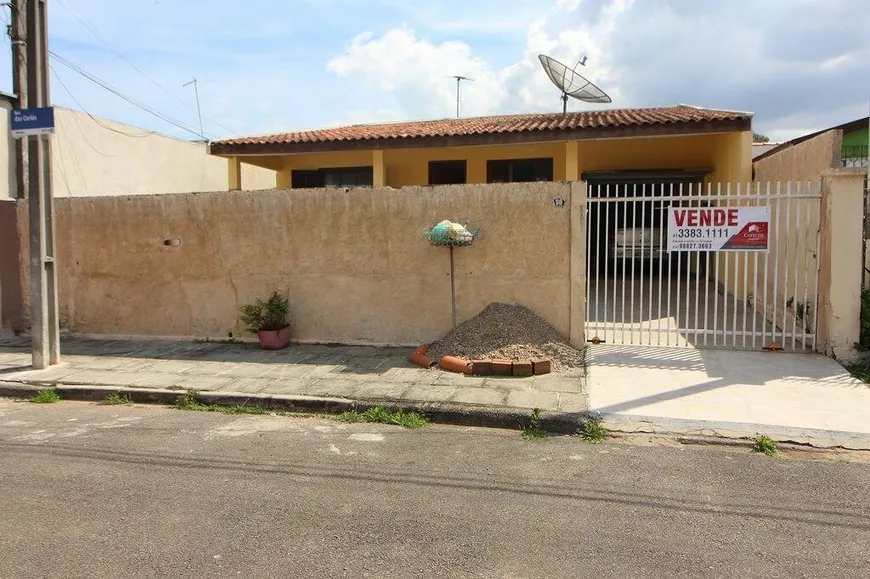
(96, 156)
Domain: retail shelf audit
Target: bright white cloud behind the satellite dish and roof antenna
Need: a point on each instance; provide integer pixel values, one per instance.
(416, 72)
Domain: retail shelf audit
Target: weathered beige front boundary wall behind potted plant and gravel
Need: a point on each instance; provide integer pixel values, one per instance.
(356, 266)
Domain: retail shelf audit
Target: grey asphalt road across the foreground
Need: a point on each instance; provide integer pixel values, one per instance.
(96, 491)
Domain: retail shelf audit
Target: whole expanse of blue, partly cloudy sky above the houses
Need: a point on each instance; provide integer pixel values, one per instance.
(266, 66)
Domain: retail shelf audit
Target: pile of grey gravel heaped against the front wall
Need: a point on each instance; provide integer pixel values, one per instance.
(508, 331)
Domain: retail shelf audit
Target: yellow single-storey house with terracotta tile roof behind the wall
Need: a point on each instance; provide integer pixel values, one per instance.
(673, 143)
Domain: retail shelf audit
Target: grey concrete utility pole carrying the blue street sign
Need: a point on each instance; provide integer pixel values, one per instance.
(45, 331)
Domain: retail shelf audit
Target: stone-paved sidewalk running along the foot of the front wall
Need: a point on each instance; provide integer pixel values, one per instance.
(353, 373)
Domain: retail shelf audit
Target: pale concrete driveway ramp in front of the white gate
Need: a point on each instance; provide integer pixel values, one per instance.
(804, 398)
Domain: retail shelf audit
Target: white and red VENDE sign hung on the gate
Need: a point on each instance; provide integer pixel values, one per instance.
(718, 229)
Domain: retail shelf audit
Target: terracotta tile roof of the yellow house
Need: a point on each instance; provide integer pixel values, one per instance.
(491, 126)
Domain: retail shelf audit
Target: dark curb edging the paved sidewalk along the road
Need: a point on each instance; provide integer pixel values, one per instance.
(439, 413)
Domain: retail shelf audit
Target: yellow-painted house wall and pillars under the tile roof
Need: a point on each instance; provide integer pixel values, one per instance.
(728, 155)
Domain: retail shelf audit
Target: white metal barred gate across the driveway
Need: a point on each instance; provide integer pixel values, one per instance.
(637, 292)
